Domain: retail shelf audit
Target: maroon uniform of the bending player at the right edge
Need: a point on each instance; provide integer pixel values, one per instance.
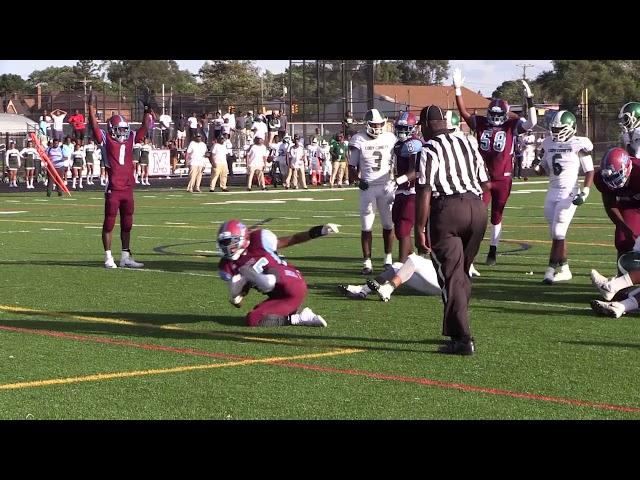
(627, 200)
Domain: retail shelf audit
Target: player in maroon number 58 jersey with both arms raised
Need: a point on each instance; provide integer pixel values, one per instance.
(496, 134)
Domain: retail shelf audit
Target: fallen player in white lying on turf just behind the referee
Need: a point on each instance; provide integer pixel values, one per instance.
(416, 272)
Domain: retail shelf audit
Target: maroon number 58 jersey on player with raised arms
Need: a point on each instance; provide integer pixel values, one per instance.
(496, 145)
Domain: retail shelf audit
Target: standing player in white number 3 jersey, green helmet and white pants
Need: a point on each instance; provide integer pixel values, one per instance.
(370, 153)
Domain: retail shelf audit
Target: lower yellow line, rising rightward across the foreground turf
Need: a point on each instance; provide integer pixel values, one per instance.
(159, 371)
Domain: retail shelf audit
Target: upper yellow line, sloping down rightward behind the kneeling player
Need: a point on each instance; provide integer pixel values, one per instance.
(115, 321)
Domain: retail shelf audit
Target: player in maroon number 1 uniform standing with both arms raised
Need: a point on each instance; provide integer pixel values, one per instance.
(117, 143)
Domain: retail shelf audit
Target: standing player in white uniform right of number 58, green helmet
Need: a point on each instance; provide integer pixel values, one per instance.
(564, 154)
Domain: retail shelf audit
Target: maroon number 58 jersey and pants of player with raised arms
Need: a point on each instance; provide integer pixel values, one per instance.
(496, 145)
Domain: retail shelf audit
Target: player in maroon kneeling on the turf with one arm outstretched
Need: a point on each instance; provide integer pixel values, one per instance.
(250, 259)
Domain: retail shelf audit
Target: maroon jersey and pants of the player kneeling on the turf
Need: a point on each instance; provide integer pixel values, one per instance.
(290, 289)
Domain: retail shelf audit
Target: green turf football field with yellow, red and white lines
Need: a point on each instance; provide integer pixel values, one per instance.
(78, 341)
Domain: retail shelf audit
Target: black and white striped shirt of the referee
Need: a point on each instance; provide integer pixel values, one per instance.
(450, 164)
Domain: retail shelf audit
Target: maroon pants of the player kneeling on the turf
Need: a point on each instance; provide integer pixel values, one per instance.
(285, 299)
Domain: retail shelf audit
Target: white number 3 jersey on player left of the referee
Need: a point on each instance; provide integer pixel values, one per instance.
(374, 157)
